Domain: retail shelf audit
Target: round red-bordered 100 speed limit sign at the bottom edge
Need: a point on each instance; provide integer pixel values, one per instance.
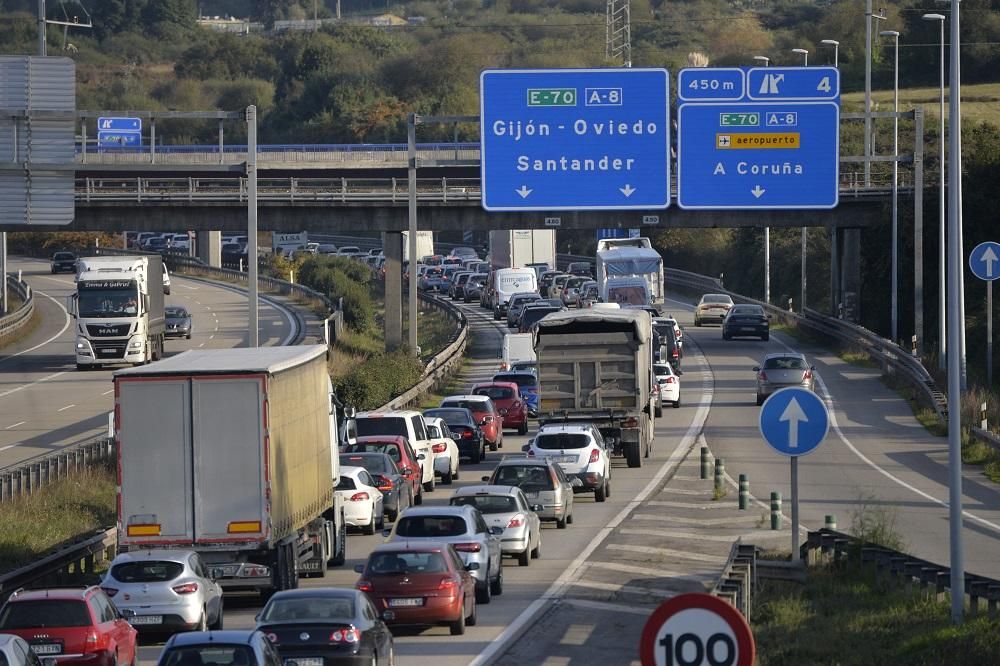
(696, 629)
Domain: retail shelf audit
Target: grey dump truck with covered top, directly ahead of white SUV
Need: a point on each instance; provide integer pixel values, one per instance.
(595, 366)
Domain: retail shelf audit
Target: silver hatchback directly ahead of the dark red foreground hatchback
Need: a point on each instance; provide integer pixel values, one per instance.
(466, 530)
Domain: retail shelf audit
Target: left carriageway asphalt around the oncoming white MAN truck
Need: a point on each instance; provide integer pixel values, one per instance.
(46, 404)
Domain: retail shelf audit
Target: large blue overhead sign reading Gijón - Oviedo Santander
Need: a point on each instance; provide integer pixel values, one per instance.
(575, 139)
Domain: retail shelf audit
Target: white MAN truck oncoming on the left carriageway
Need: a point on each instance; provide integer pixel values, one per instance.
(118, 307)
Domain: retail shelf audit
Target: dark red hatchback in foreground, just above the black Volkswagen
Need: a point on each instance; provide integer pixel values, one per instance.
(425, 583)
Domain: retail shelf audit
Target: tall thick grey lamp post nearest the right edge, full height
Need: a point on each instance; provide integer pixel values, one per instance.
(955, 327)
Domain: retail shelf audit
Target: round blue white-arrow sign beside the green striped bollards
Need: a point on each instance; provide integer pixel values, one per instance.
(794, 421)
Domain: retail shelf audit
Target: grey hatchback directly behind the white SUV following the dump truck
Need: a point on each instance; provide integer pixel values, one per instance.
(543, 482)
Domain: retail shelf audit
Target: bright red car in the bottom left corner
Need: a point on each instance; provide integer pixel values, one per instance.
(72, 626)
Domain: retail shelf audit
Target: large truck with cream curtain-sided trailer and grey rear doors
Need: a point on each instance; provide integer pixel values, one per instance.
(232, 453)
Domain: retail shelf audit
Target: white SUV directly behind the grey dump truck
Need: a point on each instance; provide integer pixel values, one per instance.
(579, 449)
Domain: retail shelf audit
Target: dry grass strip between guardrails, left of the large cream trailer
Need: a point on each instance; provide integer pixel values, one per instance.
(32, 525)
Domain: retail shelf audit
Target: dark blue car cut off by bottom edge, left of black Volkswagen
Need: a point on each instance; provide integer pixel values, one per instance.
(247, 648)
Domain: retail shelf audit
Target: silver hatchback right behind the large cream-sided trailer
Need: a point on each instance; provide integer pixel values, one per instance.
(168, 590)
